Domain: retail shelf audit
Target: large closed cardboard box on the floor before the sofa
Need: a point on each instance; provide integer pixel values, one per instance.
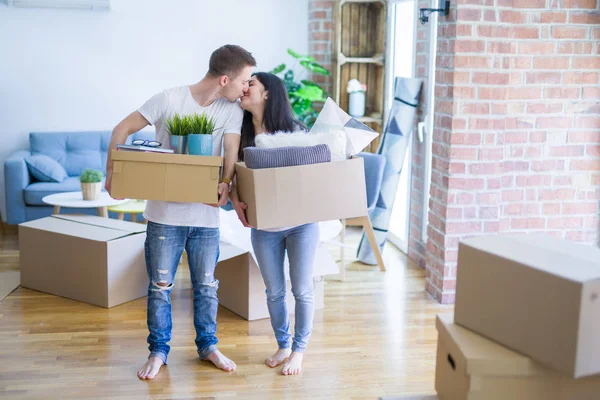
(86, 258)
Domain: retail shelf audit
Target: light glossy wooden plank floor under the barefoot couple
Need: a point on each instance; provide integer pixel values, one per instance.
(376, 337)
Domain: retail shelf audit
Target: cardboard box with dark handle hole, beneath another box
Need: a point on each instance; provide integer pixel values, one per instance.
(471, 367)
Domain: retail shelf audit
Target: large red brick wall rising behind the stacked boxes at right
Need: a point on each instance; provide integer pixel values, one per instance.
(517, 126)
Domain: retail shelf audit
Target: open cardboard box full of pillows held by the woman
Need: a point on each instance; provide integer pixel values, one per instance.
(289, 196)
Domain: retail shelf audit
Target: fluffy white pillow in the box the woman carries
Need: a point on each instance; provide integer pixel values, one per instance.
(336, 141)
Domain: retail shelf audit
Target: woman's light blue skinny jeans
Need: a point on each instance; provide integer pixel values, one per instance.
(301, 245)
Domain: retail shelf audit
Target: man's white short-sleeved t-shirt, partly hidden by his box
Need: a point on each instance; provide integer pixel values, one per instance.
(228, 119)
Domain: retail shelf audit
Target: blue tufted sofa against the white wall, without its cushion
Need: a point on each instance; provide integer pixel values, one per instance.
(75, 151)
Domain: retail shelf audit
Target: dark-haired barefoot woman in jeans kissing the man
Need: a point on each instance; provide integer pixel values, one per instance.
(266, 111)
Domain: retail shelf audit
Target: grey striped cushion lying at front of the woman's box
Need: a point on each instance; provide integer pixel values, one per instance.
(257, 158)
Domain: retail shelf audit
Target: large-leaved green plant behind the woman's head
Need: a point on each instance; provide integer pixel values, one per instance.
(304, 94)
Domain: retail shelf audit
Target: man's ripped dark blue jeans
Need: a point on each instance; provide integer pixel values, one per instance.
(164, 247)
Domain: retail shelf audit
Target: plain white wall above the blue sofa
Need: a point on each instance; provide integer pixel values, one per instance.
(65, 70)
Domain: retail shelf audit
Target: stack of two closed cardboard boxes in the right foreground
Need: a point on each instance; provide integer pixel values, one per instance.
(526, 322)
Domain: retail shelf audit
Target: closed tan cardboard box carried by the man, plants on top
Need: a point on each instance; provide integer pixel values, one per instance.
(167, 177)
